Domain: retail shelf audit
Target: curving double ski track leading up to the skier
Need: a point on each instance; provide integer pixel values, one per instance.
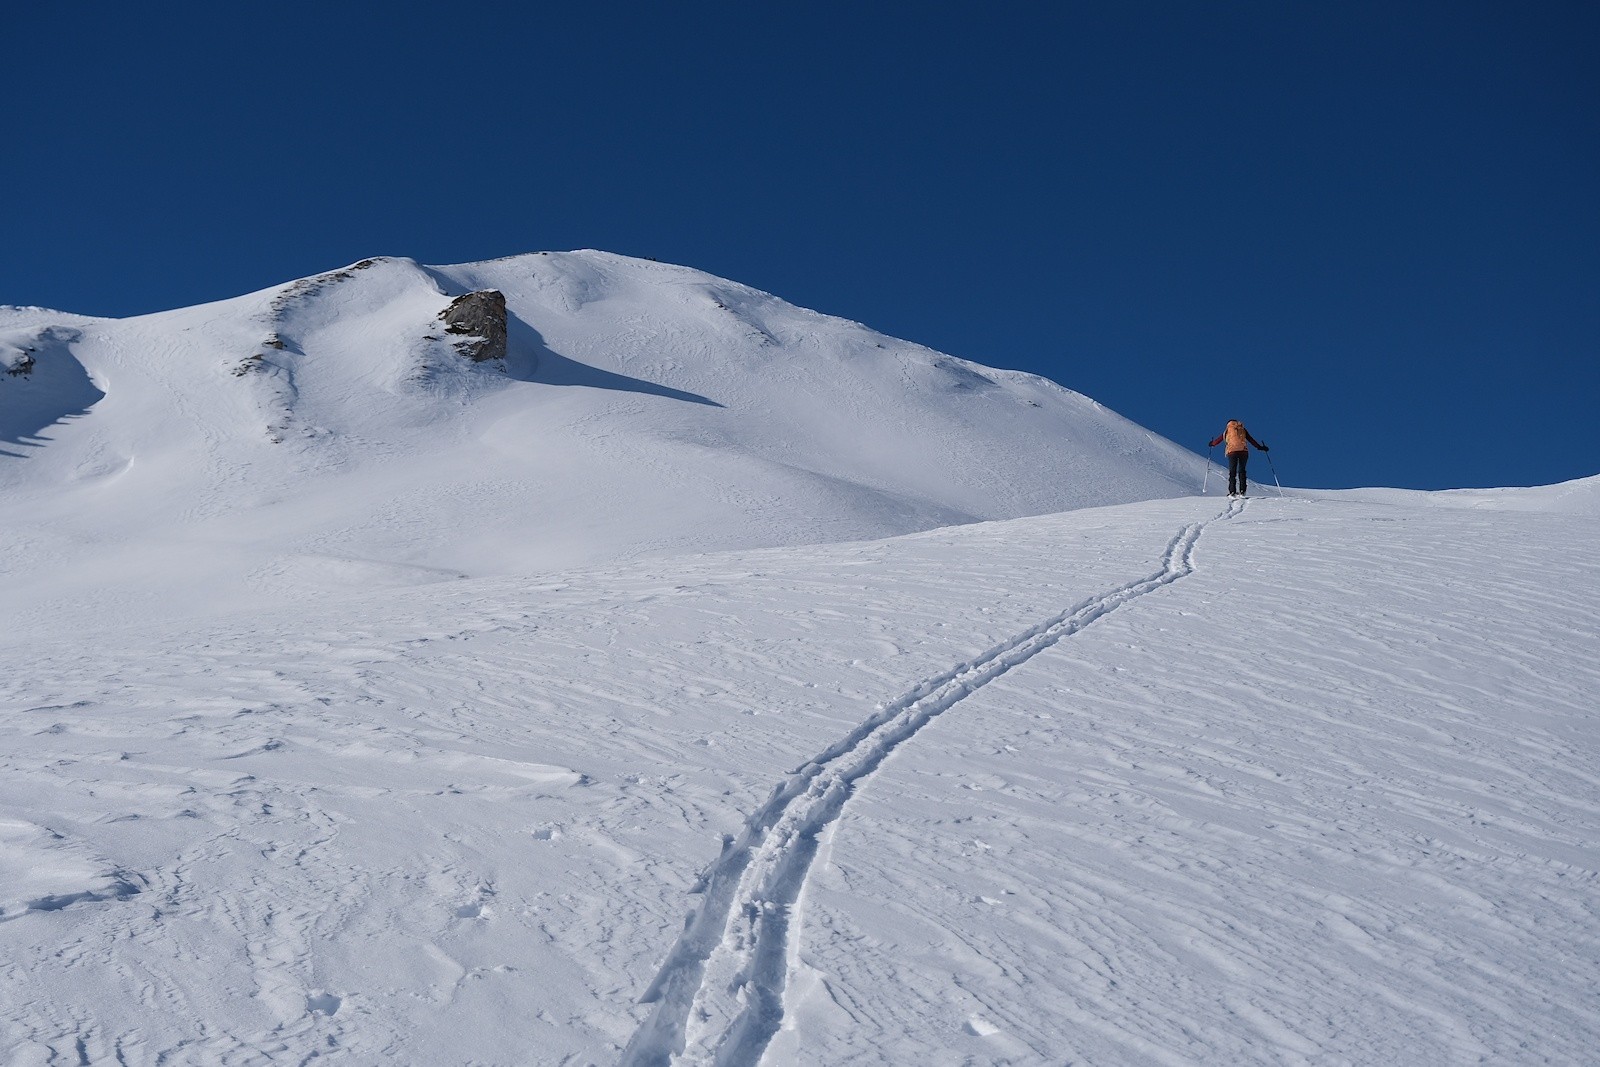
(721, 994)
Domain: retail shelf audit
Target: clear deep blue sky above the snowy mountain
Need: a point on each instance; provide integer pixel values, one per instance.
(1369, 230)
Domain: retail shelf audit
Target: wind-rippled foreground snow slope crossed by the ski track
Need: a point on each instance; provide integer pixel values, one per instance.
(1302, 781)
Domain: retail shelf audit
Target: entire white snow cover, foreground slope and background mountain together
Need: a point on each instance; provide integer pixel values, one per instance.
(1305, 780)
